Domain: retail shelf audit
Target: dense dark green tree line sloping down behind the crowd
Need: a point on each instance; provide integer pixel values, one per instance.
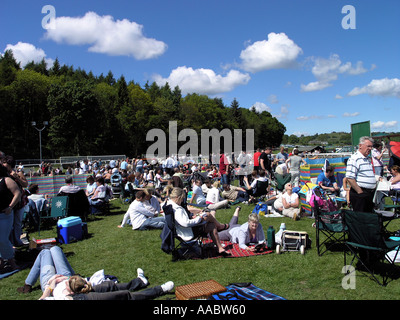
(99, 115)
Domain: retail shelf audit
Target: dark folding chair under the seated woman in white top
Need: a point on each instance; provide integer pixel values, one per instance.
(185, 249)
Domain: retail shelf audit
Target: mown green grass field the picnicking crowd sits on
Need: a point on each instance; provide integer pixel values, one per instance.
(290, 275)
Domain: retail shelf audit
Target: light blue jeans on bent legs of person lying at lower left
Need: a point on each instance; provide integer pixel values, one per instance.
(48, 263)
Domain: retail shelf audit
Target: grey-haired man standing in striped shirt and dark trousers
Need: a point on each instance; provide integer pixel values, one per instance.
(361, 177)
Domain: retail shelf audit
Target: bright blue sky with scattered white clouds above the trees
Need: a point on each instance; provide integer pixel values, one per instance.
(292, 58)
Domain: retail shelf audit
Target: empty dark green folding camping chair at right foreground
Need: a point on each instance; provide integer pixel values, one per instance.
(367, 244)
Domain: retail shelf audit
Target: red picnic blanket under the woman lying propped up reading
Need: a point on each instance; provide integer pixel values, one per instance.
(210, 251)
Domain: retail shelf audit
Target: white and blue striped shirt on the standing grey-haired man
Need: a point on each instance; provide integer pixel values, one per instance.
(360, 169)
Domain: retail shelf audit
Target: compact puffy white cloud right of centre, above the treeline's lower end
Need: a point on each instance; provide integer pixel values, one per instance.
(277, 52)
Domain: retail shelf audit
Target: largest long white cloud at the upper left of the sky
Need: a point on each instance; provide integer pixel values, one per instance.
(105, 35)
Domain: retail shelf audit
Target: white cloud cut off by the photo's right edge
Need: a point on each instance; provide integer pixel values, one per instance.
(379, 87)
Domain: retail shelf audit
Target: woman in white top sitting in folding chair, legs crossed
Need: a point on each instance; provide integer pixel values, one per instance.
(202, 224)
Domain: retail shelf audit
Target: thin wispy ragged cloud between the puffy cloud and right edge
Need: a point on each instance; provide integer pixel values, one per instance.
(327, 70)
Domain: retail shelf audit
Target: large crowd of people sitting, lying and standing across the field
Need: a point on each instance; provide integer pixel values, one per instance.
(194, 190)
